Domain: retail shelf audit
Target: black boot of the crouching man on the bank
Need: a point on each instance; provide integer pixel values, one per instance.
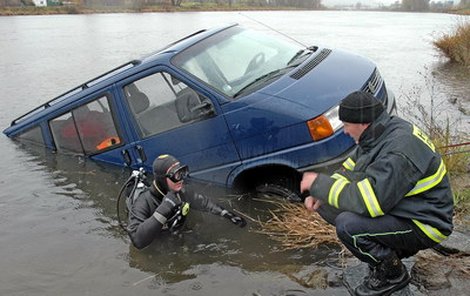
(387, 277)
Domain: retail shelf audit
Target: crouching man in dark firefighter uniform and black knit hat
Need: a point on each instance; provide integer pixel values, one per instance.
(391, 199)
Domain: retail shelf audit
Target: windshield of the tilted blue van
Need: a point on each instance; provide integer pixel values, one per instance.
(235, 58)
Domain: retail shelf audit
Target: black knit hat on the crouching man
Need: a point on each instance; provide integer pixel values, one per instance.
(360, 107)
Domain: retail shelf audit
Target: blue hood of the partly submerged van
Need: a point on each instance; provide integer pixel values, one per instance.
(325, 84)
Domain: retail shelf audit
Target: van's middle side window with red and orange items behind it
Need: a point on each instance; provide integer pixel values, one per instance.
(87, 129)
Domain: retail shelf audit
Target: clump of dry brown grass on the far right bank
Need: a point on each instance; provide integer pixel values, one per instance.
(456, 46)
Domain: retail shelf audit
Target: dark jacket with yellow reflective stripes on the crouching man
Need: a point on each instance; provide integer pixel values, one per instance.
(395, 171)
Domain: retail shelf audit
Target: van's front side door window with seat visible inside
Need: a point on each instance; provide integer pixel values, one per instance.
(160, 102)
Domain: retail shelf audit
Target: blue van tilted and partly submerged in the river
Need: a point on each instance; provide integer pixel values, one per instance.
(241, 108)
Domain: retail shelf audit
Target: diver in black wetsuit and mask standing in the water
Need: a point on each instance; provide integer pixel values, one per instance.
(164, 205)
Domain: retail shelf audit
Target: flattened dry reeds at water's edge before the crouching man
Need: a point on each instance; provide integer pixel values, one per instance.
(295, 227)
